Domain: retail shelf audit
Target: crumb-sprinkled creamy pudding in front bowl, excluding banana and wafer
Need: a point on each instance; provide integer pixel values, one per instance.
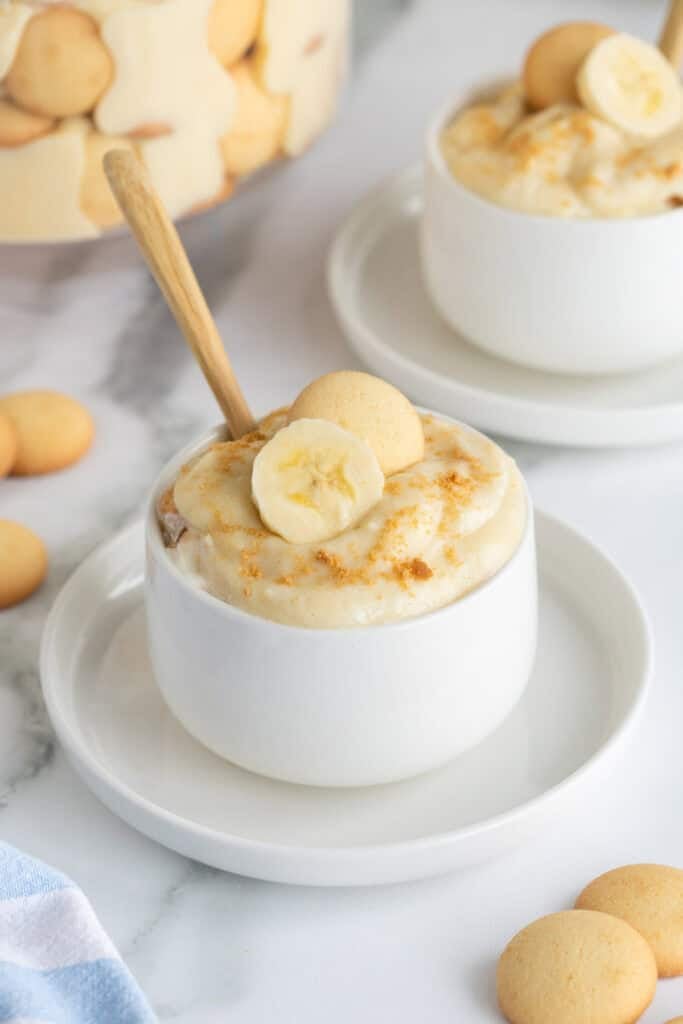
(441, 528)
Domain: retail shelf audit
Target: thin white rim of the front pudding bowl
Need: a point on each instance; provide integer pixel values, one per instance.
(154, 538)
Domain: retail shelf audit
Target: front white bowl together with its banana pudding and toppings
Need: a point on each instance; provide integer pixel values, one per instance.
(348, 594)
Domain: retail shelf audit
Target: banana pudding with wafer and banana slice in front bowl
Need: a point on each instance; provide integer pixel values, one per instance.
(348, 518)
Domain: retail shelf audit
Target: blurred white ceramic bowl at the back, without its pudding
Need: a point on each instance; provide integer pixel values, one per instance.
(594, 296)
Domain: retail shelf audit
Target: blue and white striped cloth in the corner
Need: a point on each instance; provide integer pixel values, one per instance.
(57, 964)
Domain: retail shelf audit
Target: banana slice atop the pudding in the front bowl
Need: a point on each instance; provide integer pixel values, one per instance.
(314, 480)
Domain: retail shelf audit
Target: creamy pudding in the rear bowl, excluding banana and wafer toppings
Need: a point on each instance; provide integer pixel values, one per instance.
(562, 161)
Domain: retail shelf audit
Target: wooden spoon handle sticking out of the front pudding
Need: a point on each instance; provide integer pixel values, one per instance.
(168, 262)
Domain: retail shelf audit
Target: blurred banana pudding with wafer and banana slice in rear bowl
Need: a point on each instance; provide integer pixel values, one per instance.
(593, 130)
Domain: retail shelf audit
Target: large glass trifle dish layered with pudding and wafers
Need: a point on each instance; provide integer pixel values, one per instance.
(205, 92)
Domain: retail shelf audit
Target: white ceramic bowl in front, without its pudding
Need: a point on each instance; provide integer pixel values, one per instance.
(347, 707)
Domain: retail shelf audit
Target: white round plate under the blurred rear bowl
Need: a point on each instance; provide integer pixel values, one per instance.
(377, 291)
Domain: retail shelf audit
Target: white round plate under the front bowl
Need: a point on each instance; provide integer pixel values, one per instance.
(589, 684)
